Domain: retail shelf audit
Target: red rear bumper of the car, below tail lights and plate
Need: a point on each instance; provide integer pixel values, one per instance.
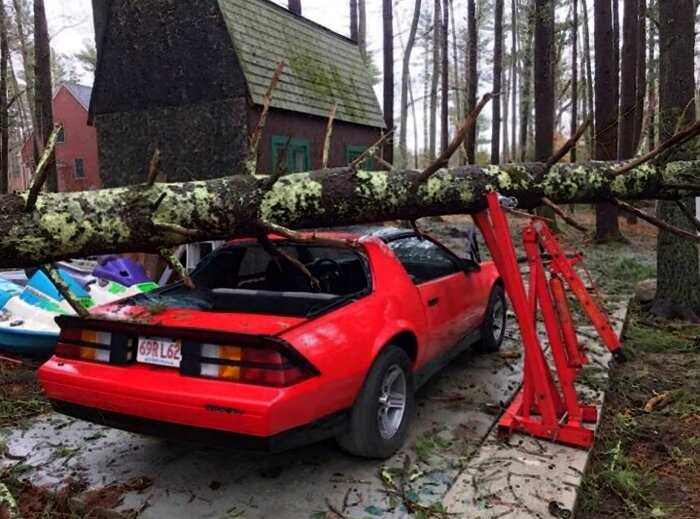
(160, 401)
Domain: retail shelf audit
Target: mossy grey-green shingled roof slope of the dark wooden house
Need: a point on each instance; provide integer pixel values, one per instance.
(322, 68)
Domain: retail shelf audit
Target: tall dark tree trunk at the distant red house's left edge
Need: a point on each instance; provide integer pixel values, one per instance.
(43, 94)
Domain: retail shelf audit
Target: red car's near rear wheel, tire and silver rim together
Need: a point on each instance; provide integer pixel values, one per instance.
(383, 411)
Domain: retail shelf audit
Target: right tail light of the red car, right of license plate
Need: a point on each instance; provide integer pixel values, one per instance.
(265, 366)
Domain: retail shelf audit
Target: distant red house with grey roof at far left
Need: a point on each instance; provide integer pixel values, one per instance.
(76, 152)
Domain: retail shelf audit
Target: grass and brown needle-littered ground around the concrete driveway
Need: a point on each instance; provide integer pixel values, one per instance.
(646, 464)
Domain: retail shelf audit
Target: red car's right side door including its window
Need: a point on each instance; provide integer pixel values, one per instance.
(441, 285)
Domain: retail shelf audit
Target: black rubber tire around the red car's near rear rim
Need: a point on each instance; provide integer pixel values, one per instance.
(365, 436)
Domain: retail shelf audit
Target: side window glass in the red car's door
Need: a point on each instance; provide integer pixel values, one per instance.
(423, 259)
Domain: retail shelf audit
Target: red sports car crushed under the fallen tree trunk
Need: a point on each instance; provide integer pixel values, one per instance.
(260, 354)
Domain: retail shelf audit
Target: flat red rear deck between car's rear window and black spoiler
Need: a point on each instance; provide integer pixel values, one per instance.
(242, 323)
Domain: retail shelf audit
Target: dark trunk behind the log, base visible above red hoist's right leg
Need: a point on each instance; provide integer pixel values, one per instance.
(606, 110)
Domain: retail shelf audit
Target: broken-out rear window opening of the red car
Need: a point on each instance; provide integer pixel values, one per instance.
(245, 278)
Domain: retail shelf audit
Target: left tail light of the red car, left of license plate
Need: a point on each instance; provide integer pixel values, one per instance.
(94, 346)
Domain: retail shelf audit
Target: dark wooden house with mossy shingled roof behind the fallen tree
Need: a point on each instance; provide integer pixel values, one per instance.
(190, 77)
